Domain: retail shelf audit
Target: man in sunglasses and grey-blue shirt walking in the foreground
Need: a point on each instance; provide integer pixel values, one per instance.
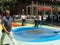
(6, 25)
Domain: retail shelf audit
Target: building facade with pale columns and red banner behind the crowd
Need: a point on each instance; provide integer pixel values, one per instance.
(38, 7)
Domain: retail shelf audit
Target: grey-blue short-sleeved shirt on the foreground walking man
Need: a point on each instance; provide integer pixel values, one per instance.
(7, 23)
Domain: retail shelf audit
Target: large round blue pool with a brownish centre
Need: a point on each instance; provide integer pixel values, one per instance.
(35, 34)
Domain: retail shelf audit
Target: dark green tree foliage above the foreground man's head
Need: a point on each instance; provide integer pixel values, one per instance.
(7, 4)
